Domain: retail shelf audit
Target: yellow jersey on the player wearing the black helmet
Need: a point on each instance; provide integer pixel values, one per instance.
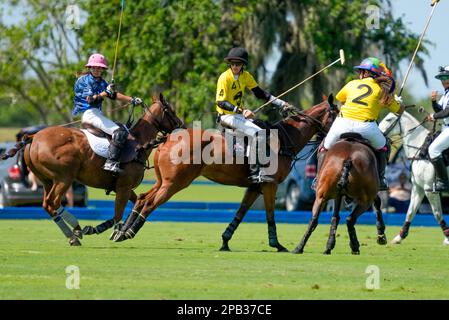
(232, 90)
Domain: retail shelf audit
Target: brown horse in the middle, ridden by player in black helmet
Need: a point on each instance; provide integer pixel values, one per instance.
(172, 178)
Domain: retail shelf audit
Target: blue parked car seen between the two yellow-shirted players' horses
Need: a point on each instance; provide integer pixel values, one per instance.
(295, 192)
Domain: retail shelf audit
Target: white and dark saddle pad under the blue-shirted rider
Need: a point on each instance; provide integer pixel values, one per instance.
(99, 142)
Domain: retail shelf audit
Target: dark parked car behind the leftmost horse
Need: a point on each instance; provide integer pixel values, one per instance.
(15, 188)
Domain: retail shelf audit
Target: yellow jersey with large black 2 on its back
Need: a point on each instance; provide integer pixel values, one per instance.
(361, 100)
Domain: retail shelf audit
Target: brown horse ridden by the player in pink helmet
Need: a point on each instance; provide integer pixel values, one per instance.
(59, 155)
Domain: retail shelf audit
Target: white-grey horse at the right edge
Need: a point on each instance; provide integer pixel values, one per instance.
(413, 135)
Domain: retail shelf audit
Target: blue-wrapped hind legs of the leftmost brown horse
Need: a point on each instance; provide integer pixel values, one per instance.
(53, 194)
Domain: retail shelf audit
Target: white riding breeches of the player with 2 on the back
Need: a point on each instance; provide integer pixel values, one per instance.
(368, 130)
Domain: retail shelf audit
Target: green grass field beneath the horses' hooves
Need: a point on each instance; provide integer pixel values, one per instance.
(182, 261)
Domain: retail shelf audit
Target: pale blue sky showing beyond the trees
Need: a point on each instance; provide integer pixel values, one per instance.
(415, 14)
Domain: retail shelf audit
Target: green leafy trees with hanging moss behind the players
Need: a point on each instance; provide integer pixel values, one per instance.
(178, 47)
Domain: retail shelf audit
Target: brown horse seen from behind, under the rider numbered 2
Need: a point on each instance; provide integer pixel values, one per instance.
(349, 169)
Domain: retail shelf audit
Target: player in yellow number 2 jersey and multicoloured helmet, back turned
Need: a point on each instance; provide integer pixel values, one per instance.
(362, 100)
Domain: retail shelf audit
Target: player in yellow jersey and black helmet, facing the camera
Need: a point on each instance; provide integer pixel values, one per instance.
(231, 87)
